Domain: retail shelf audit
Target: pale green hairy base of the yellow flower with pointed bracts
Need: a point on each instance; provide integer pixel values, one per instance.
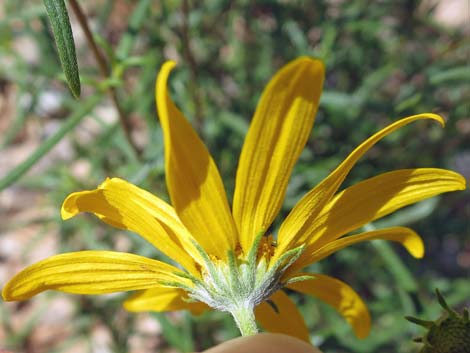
(241, 283)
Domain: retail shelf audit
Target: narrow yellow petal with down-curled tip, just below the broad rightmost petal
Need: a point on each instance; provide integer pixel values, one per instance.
(405, 236)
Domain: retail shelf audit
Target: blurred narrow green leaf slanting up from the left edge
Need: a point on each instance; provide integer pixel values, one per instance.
(47, 145)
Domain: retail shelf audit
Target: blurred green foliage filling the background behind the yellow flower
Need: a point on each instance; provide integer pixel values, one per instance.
(384, 59)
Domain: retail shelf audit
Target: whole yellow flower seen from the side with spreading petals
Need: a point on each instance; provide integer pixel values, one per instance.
(227, 260)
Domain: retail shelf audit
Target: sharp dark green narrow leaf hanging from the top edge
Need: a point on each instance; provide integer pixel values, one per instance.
(60, 22)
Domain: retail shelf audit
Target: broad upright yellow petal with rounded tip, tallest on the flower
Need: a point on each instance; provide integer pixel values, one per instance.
(278, 132)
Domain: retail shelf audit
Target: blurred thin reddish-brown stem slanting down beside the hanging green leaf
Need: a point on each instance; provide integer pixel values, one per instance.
(103, 67)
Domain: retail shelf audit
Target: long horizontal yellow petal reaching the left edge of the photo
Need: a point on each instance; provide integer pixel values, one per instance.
(90, 272)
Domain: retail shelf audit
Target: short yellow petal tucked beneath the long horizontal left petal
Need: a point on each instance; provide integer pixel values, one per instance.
(163, 299)
